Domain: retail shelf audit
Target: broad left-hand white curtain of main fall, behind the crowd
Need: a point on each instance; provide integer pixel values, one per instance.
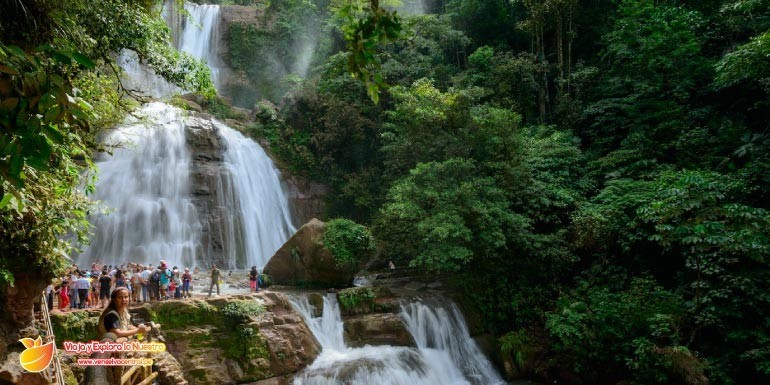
(146, 183)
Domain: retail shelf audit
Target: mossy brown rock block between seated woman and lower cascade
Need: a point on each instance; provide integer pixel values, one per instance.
(211, 349)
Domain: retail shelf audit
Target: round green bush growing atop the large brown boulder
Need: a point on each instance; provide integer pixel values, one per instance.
(349, 242)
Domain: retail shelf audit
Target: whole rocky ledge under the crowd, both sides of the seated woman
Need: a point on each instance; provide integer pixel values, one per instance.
(256, 338)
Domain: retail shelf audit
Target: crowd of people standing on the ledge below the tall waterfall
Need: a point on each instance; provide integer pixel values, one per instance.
(92, 288)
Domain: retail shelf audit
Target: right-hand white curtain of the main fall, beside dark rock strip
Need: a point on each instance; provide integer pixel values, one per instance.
(261, 209)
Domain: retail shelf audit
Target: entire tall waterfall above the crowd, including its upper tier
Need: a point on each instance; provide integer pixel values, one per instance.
(147, 183)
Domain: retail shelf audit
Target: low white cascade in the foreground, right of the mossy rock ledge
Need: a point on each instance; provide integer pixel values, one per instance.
(445, 352)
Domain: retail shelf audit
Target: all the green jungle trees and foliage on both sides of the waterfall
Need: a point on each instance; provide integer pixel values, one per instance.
(592, 175)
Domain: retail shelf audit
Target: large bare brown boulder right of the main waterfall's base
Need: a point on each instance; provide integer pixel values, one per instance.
(304, 261)
